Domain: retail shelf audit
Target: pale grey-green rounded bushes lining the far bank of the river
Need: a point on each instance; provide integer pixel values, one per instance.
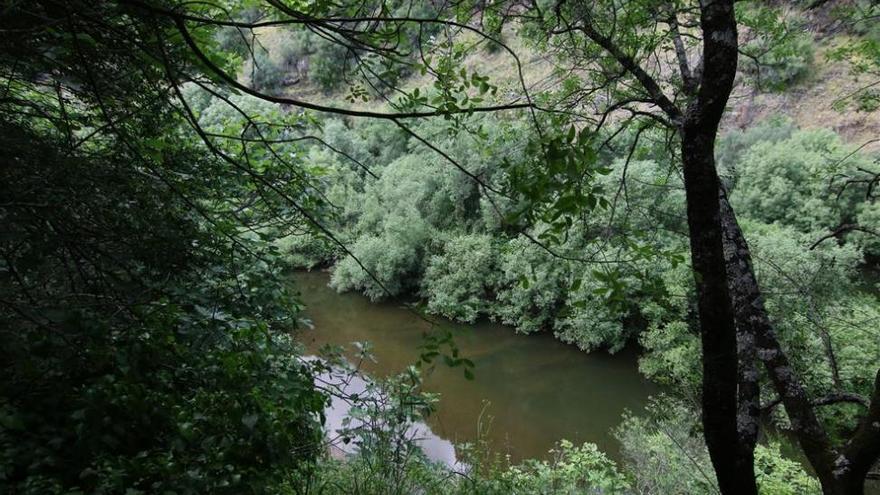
(424, 229)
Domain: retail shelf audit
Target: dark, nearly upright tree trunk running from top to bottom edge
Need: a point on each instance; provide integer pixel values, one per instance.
(732, 454)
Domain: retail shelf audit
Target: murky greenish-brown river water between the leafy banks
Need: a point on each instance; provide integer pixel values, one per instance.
(535, 389)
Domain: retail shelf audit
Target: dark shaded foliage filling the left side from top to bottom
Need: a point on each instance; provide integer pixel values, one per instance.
(145, 343)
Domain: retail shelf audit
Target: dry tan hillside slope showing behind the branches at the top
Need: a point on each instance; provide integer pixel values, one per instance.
(821, 99)
